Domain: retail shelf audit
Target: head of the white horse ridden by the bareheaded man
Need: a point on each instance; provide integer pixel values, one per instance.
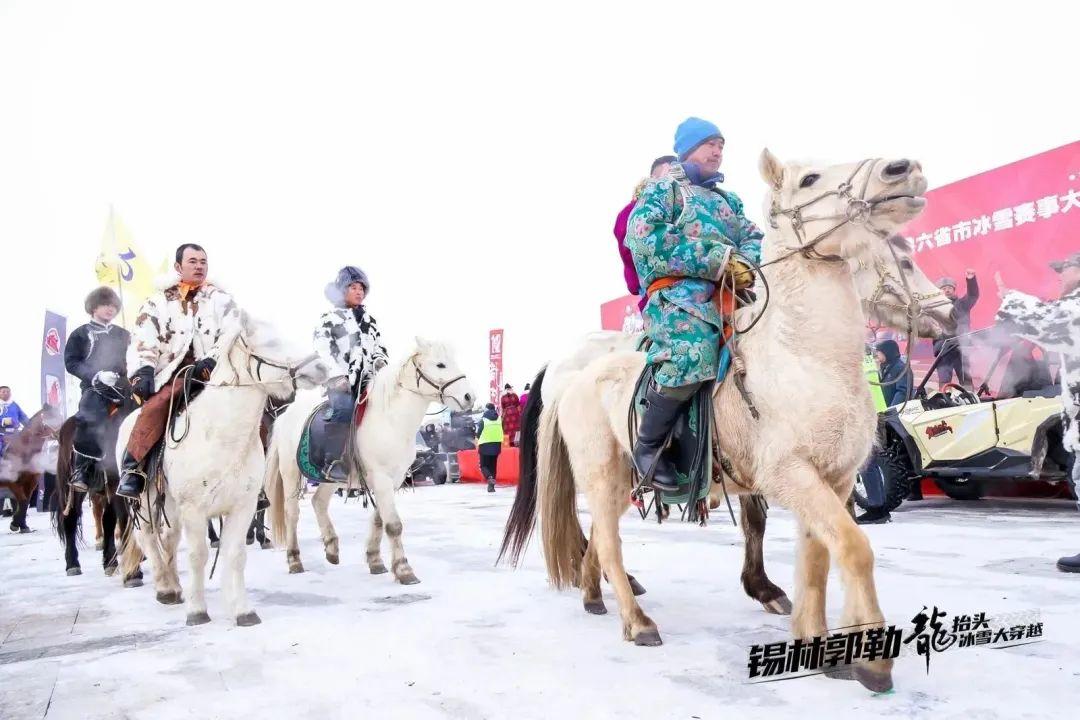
(258, 356)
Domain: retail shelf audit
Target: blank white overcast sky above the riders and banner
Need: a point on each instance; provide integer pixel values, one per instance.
(470, 157)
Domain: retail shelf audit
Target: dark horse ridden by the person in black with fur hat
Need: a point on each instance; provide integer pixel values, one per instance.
(67, 513)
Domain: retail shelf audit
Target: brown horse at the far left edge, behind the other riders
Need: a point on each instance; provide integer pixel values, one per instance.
(25, 458)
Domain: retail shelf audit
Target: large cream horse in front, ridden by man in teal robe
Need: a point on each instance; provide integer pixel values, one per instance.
(805, 449)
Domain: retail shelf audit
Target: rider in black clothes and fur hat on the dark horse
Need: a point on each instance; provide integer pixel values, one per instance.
(97, 355)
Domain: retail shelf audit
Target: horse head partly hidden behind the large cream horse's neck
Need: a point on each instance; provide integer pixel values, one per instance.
(897, 294)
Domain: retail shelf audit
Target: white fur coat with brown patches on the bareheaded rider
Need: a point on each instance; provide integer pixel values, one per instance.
(167, 327)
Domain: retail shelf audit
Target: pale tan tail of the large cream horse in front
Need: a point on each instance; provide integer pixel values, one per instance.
(560, 528)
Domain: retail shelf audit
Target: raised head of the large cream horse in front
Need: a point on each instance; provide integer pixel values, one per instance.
(879, 197)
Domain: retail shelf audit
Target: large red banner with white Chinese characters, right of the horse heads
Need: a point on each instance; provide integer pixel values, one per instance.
(1015, 221)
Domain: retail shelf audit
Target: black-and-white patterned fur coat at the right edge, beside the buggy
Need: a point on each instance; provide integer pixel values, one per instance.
(1056, 327)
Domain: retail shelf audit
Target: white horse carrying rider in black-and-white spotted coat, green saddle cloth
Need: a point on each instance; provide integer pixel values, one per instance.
(385, 446)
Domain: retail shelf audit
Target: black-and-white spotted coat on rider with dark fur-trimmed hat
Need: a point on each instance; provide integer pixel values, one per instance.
(347, 345)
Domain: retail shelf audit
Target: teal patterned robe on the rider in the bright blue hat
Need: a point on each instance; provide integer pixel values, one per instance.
(686, 232)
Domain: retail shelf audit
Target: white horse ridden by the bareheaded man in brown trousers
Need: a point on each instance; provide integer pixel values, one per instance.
(217, 469)
